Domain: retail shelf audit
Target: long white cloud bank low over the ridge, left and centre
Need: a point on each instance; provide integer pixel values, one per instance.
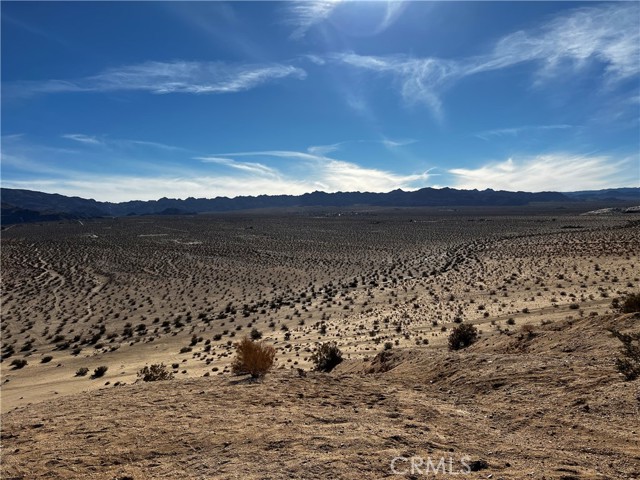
(222, 174)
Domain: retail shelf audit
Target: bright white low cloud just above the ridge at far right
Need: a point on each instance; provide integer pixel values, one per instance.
(553, 172)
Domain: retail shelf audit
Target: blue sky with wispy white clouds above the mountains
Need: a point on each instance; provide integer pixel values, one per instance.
(141, 100)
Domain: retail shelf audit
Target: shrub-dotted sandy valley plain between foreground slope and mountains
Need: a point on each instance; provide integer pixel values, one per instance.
(128, 292)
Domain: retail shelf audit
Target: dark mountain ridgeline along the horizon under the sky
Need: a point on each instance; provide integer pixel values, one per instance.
(20, 206)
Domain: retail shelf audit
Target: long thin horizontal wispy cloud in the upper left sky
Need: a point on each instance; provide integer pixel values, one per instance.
(164, 78)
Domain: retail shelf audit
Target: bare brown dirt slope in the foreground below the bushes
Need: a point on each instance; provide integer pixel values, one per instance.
(547, 405)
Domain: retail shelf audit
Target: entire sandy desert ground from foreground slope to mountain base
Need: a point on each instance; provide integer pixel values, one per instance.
(536, 397)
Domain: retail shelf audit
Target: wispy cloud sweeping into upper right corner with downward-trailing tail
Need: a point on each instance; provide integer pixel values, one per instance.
(607, 34)
